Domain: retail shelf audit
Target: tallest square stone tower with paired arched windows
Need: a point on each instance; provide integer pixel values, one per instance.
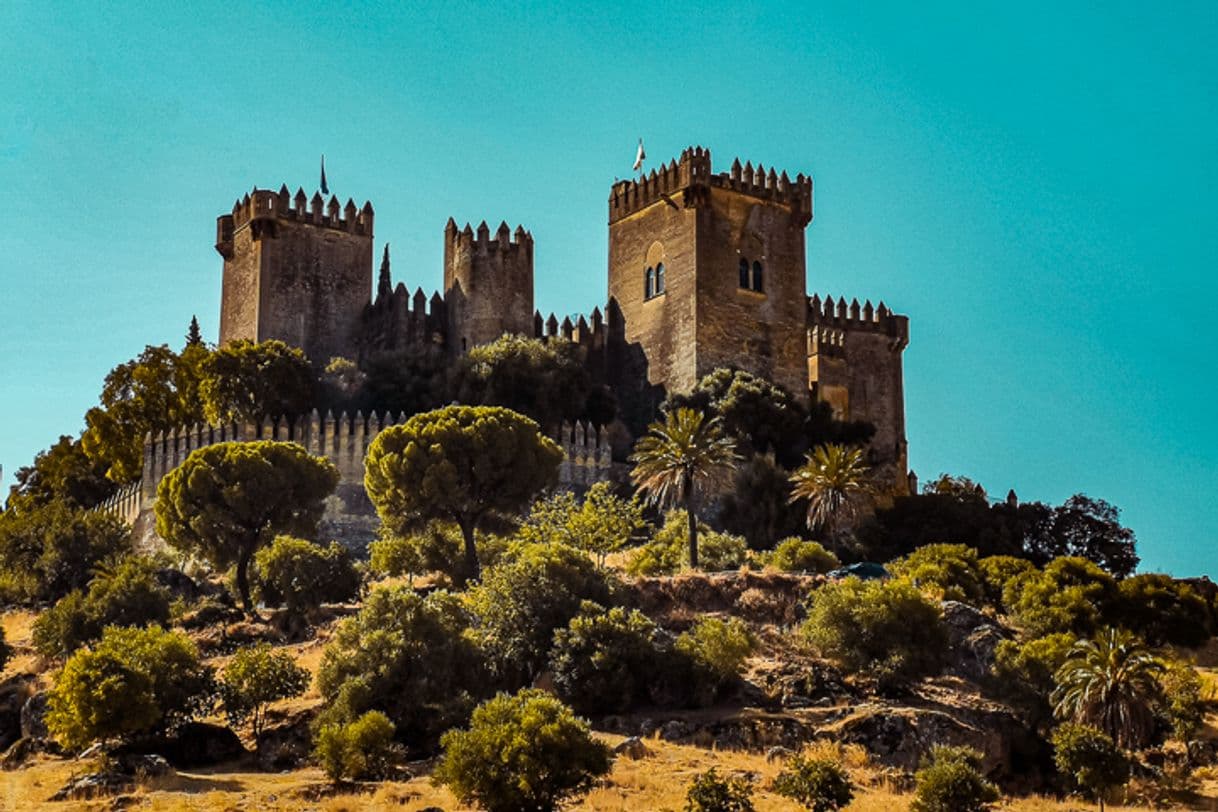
(708, 271)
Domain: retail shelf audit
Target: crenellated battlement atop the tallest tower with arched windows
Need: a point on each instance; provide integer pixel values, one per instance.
(694, 173)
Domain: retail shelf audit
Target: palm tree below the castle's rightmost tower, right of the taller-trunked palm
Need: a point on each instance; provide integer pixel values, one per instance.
(834, 479)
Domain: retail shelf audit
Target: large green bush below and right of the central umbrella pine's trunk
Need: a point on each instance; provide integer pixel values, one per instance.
(526, 598)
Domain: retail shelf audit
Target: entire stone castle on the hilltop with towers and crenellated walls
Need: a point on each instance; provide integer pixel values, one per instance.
(706, 271)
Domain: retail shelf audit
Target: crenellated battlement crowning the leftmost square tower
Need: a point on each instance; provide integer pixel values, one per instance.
(262, 209)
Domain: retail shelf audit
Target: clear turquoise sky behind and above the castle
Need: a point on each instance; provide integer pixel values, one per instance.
(1035, 184)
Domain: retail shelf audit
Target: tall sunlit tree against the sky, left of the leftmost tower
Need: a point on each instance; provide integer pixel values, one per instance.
(158, 391)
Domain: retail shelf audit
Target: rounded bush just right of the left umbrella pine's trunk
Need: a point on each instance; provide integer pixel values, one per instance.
(303, 575)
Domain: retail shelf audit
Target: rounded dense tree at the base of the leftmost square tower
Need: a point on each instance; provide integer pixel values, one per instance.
(247, 382)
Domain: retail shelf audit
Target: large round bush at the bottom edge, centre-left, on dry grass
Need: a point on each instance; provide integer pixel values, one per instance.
(526, 752)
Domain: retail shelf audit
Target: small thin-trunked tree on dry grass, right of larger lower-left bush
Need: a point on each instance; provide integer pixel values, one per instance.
(256, 677)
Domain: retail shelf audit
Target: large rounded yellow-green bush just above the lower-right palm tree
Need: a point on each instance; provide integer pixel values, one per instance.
(1071, 595)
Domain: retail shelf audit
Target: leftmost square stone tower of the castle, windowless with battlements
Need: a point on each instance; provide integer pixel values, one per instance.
(298, 271)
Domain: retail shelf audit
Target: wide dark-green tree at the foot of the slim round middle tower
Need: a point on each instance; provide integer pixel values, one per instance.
(543, 379)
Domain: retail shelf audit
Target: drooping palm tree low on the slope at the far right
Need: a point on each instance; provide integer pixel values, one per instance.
(1110, 684)
